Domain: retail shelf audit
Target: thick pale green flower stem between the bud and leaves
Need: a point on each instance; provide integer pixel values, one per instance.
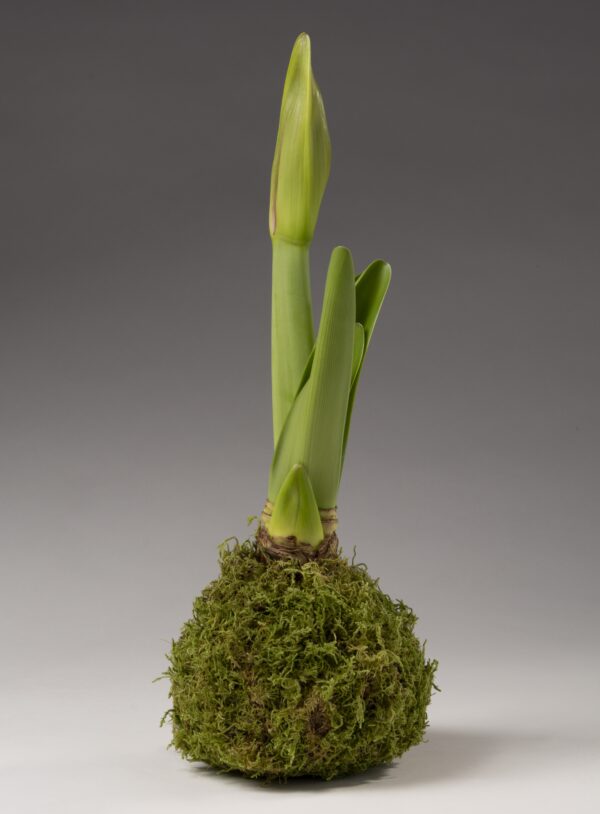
(292, 329)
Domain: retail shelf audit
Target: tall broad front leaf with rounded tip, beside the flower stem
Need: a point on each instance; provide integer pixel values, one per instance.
(313, 433)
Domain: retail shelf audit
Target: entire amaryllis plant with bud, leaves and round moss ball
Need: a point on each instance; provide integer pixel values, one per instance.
(295, 662)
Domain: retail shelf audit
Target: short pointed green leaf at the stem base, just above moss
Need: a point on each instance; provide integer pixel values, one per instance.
(295, 512)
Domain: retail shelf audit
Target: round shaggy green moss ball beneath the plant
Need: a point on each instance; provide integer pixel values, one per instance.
(287, 670)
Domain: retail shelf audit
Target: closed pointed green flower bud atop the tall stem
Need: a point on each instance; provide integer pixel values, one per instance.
(302, 153)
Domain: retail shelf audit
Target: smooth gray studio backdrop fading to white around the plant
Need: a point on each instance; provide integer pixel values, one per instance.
(136, 141)
